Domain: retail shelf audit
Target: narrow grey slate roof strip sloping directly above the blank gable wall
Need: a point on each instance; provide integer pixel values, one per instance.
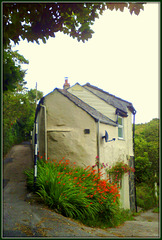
(90, 110)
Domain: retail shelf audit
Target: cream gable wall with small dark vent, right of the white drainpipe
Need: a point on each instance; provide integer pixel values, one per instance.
(65, 131)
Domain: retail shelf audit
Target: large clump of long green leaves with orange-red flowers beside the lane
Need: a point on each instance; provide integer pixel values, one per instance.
(76, 192)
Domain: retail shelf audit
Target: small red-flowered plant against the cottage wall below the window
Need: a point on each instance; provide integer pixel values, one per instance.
(118, 170)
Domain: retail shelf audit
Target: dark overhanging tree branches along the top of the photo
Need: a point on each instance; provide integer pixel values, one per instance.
(33, 21)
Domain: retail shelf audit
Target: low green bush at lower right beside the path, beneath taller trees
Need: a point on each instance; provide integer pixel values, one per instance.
(145, 196)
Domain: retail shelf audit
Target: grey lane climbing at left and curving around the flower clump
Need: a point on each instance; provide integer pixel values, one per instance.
(23, 216)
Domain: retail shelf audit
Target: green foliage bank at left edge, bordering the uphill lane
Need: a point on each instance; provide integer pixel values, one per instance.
(18, 117)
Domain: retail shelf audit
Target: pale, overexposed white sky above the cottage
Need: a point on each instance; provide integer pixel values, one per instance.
(122, 58)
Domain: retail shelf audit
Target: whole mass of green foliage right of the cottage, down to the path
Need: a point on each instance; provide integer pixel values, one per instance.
(147, 163)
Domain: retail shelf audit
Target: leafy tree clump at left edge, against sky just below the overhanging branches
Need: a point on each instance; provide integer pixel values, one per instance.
(13, 75)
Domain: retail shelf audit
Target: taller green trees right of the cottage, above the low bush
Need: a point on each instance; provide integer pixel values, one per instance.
(147, 152)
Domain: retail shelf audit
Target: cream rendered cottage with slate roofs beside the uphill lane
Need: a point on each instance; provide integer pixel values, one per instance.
(75, 122)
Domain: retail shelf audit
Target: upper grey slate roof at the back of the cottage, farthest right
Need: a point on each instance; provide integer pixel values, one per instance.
(116, 102)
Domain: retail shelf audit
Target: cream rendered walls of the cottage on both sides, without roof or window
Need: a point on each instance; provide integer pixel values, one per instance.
(66, 138)
